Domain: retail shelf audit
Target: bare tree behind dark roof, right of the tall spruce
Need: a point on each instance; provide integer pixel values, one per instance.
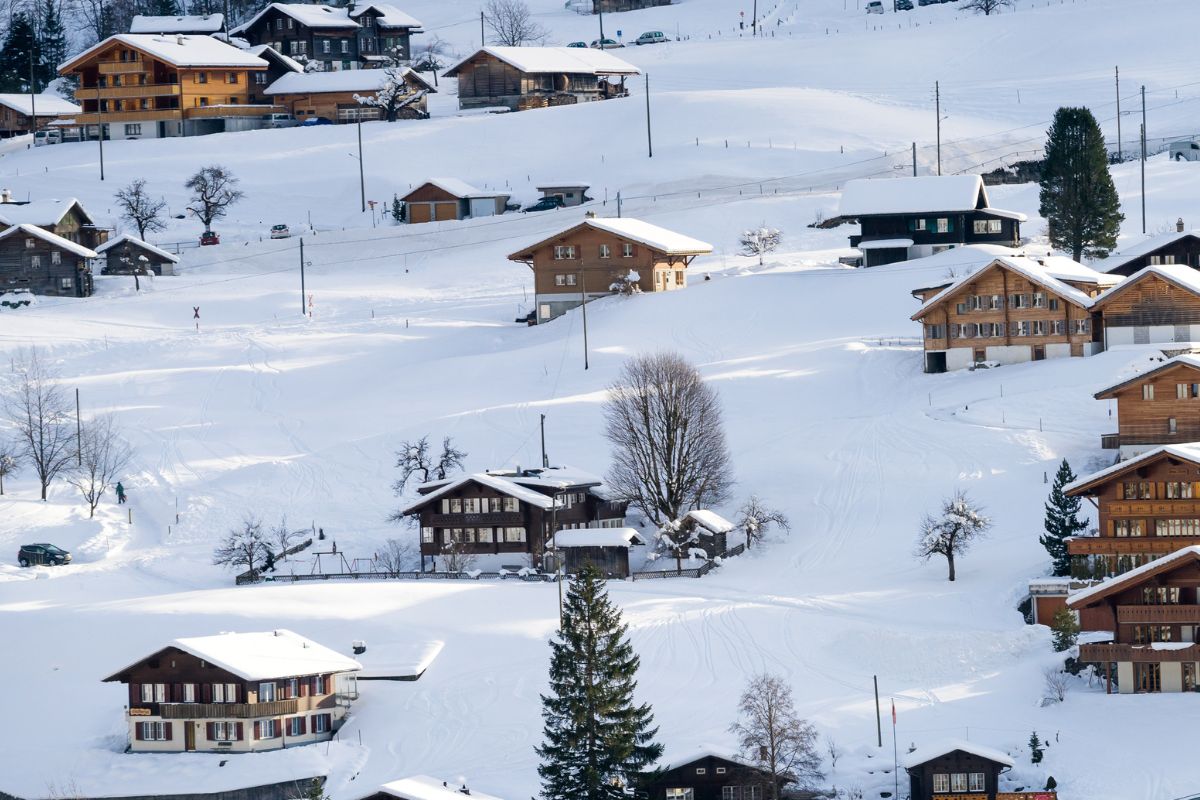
(773, 737)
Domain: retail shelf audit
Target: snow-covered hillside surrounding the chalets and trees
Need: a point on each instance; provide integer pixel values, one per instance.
(829, 414)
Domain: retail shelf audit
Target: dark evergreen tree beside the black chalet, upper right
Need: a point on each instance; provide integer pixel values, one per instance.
(1078, 199)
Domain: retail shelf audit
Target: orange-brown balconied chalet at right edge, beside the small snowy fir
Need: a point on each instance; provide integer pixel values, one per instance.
(1149, 507)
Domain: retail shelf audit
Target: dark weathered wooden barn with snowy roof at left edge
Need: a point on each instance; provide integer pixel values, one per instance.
(33, 260)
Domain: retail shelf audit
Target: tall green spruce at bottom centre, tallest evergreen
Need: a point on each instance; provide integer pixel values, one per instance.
(596, 738)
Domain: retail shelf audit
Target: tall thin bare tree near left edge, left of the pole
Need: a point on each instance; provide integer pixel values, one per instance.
(41, 412)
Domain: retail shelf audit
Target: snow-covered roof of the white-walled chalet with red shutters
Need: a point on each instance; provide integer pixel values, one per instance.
(262, 655)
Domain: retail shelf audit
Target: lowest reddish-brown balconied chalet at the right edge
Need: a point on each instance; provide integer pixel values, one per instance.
(1148, 621)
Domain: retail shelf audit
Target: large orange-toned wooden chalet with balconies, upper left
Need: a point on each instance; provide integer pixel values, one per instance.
(147, 87)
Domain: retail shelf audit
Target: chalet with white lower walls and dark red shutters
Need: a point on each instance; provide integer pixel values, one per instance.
(237, 693)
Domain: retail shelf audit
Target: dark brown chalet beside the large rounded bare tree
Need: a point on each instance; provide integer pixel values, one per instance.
(511, 515)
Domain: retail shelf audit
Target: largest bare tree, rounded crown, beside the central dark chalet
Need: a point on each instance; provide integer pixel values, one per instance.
(664, 425)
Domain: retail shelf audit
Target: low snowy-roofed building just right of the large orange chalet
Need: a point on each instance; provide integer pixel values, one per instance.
(334, 95)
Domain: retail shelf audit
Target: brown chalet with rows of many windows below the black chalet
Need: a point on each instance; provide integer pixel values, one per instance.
(1013, 310)
